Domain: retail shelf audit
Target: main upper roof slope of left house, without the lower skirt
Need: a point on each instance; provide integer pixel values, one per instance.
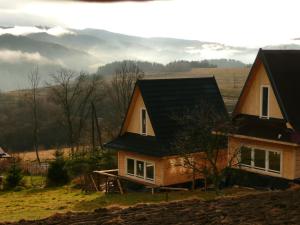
(166, 98)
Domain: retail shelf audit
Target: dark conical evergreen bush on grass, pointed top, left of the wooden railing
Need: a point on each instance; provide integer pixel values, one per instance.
(57, 173)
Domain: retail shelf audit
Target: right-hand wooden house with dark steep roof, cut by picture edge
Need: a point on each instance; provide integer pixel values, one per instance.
(267, 116)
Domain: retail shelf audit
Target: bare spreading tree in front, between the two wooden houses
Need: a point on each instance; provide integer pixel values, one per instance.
(202, 144)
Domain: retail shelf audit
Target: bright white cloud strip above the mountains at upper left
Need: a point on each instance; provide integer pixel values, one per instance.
(23, 30)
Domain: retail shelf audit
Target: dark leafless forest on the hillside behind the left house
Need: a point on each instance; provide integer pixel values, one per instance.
(39, 115)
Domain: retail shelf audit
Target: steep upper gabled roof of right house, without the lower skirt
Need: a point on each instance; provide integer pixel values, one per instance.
(283, 70)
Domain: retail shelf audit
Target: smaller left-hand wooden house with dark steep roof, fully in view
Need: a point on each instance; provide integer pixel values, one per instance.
(144, 144)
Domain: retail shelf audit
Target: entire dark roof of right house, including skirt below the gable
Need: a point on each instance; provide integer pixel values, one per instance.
(283, 70)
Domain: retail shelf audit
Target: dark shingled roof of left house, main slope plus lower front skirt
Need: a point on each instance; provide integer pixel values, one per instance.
(164, 99)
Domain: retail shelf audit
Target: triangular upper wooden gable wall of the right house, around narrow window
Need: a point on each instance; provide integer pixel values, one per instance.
(250, 100)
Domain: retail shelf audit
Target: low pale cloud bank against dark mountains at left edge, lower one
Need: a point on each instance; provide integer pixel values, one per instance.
(9, 56)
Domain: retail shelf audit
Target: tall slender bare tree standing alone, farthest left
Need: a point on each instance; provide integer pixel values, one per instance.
(34, 82)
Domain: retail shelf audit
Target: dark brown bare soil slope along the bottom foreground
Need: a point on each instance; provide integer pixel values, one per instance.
(278, 207)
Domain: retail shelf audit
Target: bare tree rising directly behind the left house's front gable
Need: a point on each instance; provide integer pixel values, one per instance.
(121, 87)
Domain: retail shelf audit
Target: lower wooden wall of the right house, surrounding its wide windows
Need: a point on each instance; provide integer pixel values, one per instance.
(290, 166)
